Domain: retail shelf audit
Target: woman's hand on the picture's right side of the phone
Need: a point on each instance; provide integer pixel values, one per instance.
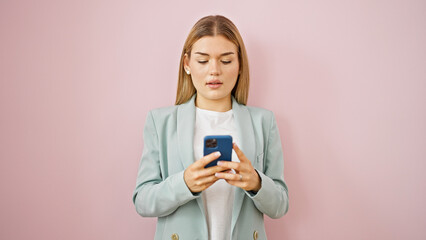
(245, 177)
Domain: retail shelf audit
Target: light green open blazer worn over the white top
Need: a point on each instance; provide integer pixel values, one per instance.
(168, 150)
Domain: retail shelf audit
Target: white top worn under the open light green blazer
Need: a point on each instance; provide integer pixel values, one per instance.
(218, 199)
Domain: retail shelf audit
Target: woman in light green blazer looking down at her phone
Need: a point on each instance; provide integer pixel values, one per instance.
(226, 201)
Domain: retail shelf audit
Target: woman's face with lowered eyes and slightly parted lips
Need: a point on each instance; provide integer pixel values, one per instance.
(214, 67)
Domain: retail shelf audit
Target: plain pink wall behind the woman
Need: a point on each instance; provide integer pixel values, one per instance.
(346, 80)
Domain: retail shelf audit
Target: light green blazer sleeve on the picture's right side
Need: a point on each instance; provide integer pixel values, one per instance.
(272, 198)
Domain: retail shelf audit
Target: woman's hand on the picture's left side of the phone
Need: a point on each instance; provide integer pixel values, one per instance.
(198, 178)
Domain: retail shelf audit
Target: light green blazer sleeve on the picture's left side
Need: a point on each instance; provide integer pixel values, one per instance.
(153, 195)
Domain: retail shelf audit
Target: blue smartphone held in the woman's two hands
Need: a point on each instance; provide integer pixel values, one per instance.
(221, 143)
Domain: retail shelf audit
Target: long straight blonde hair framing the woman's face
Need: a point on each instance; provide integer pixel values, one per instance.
(213, 26)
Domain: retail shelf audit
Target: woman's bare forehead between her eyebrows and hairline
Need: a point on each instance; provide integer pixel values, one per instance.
(214, 45)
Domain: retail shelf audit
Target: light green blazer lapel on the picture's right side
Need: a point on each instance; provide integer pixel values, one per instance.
(245, 134)
